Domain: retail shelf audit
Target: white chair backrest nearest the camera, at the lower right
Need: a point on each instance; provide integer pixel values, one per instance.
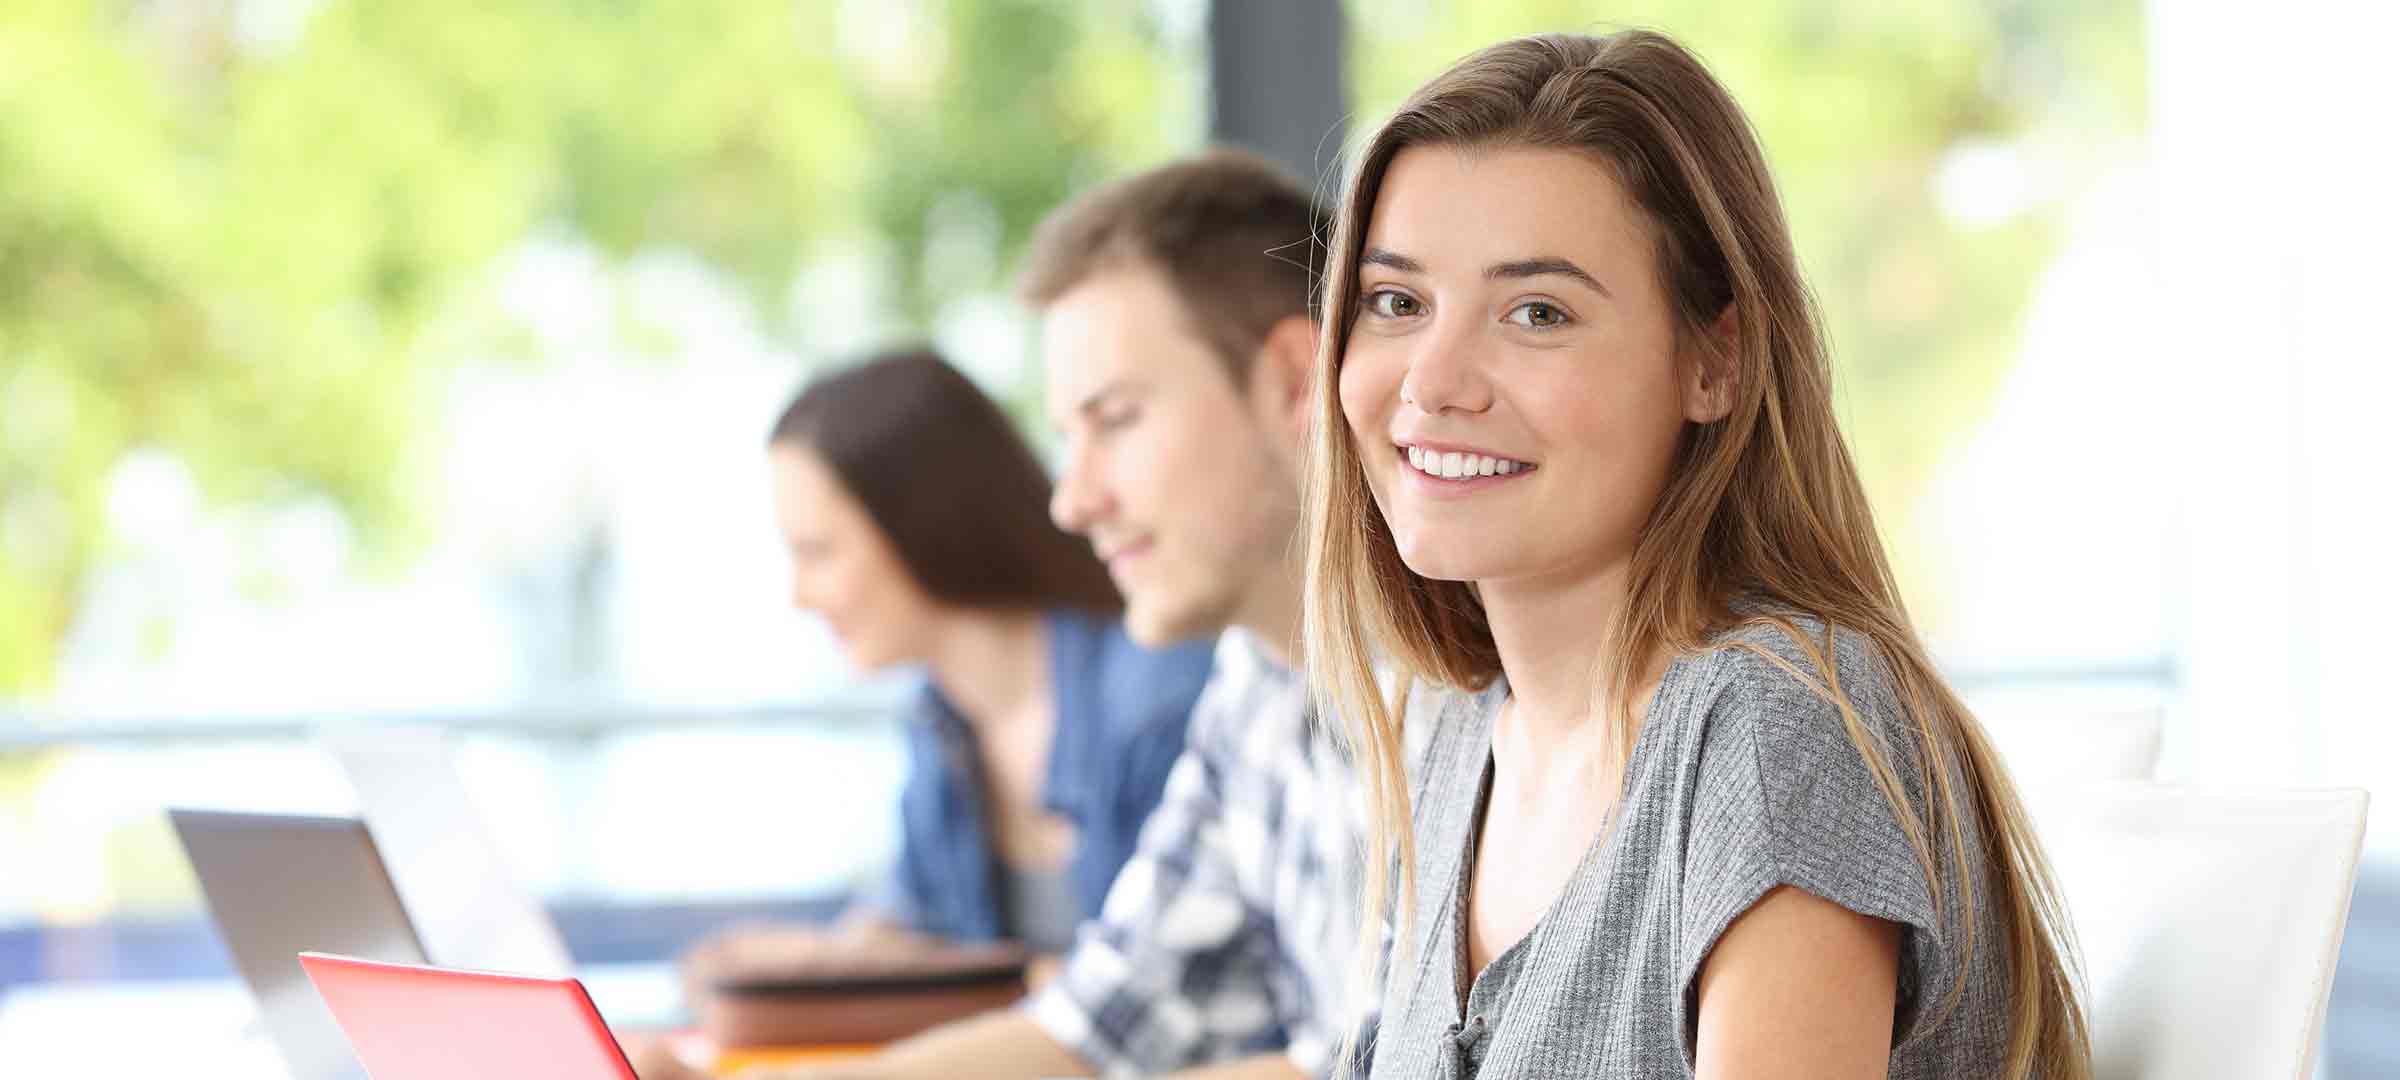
(2209, 920)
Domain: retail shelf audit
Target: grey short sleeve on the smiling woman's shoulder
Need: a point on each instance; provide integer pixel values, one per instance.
(1784, 798)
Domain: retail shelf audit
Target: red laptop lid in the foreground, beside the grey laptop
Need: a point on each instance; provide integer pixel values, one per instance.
(433, 1024)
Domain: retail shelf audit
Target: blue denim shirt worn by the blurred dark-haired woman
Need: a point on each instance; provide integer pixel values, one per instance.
(1120, 728)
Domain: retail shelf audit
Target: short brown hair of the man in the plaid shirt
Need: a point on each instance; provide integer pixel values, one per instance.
(1235, 239)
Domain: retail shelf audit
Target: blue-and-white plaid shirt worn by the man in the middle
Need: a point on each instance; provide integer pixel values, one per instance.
(1230, 930)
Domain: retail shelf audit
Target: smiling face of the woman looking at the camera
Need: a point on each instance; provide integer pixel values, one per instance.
(1511, 378)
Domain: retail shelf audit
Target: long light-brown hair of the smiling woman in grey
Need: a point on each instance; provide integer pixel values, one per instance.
(1763, 515)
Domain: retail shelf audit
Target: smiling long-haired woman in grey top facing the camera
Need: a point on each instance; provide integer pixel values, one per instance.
(1696, 803)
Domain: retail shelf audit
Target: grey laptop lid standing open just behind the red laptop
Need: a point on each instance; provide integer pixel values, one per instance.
(289, 884)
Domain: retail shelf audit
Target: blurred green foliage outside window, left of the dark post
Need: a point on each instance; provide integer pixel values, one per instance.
(256, 234)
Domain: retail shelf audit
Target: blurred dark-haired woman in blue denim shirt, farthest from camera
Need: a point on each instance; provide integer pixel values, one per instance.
(1040, 738)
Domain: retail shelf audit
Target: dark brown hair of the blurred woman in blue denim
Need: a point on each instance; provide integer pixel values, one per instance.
(949, 481)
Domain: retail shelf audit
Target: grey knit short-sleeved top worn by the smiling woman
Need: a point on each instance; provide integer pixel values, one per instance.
(1741, 781)
